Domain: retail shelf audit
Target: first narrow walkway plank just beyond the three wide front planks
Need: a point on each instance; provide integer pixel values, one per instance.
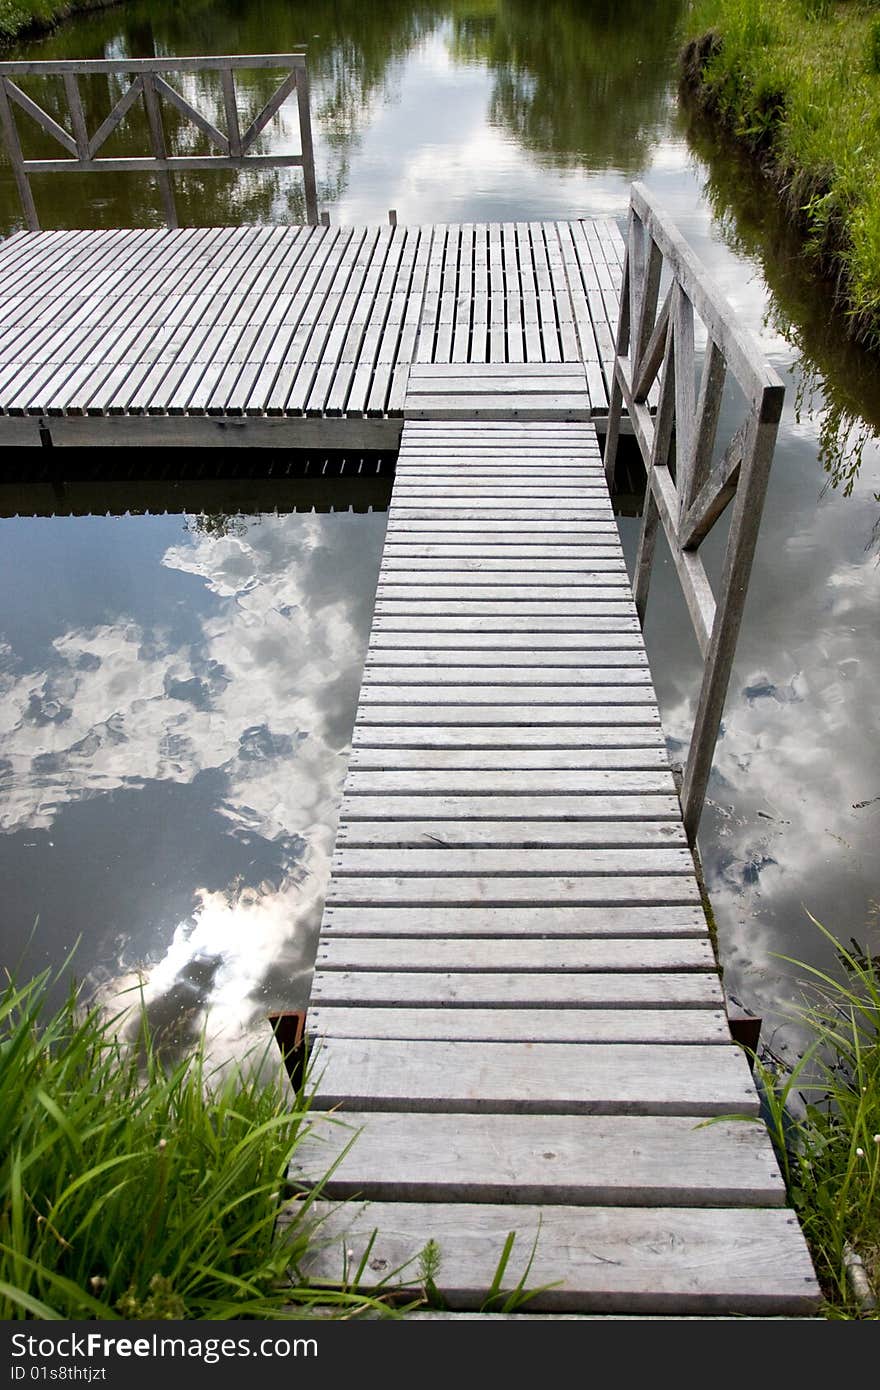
(665, 1027)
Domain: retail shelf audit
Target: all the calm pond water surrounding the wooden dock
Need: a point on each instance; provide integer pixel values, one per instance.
(177, 704)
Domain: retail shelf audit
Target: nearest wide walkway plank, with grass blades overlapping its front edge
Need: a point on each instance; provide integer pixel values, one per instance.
(587, 1259)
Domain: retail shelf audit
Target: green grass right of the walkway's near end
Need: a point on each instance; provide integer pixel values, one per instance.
(829, 1147)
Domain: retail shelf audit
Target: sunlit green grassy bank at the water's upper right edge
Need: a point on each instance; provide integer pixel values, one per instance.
(799, 83)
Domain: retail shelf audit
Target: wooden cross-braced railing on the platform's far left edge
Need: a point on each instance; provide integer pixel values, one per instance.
(149, 85)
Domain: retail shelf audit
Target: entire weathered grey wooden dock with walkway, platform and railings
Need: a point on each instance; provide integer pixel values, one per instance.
(516, 1008)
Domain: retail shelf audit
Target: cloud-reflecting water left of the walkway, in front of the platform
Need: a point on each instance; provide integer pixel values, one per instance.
(173, 799)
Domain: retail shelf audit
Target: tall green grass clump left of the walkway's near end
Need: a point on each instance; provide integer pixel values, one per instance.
(133, 1188)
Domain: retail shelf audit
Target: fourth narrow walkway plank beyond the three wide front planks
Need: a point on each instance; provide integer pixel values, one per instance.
(630, 921)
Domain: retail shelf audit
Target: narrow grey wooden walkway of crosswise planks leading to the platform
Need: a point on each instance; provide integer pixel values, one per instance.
(516, 1001)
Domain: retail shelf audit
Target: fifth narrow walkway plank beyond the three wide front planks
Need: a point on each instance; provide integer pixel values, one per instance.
(497, 892)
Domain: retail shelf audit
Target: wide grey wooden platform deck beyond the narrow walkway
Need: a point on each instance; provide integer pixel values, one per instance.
(286, 336)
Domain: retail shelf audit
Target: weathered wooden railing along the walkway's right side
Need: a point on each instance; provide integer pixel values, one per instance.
(686, 490)
